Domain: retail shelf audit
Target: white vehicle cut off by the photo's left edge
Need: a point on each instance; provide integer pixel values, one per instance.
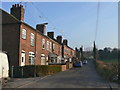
(4, 68)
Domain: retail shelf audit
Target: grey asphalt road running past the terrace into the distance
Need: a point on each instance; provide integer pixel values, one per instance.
(85, 77)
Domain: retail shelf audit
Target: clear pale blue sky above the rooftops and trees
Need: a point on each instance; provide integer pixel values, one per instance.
(75, 21)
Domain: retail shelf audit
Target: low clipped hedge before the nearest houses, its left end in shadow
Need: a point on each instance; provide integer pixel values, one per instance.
(38, 70)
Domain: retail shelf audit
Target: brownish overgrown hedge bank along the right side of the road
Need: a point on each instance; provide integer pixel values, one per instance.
(108, 69)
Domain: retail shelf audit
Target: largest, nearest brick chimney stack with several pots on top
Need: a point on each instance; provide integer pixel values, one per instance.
(17, 11)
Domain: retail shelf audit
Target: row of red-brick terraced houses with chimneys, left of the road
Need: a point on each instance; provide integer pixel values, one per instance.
(26, 45)
